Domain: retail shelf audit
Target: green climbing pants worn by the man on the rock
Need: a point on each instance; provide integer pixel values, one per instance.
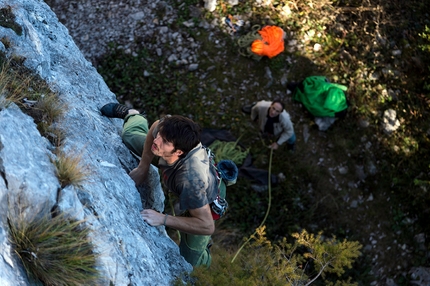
(194, 248)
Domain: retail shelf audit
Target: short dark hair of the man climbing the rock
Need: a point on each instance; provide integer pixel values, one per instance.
(182, 132)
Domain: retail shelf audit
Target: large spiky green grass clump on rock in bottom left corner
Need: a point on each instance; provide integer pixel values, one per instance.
(54, 251)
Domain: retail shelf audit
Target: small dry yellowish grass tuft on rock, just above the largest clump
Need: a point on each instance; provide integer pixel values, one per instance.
(70, 170)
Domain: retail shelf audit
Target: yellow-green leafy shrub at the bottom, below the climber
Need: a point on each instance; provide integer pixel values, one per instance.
(265, 263)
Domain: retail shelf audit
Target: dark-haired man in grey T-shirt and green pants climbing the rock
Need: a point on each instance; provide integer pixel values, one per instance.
(186, 170)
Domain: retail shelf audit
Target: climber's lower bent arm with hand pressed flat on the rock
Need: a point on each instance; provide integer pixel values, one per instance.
(200, 222)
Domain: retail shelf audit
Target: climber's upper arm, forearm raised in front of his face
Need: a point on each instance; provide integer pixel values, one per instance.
(140, 173)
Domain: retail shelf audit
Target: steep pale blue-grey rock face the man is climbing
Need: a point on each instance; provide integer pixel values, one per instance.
(131, 251)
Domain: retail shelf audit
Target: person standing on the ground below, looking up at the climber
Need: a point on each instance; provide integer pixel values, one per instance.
(274, 121)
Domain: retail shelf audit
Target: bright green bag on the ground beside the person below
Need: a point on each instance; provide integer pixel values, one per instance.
(321, 98)
